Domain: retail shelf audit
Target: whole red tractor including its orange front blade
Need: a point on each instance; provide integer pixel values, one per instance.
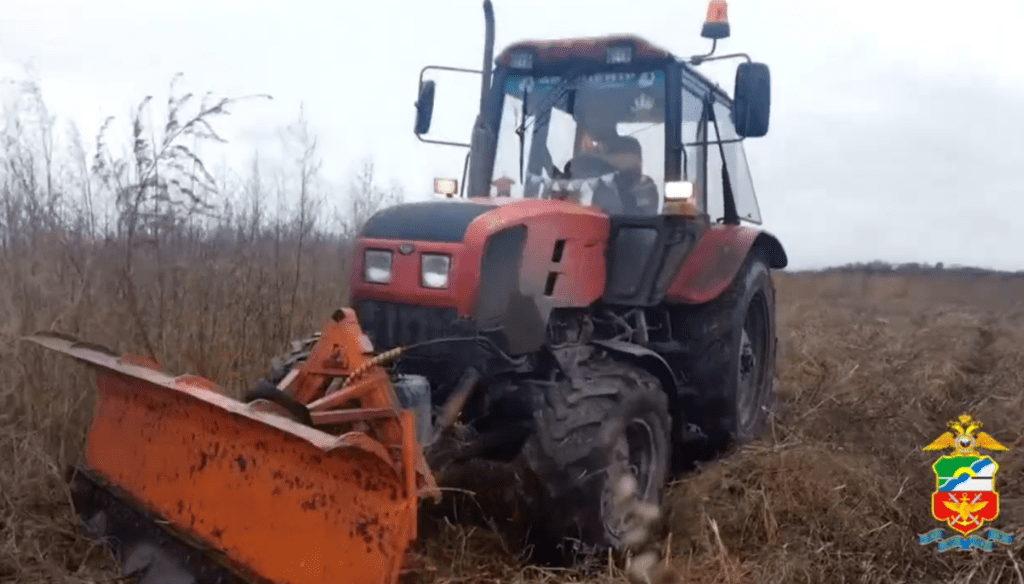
(585, 311)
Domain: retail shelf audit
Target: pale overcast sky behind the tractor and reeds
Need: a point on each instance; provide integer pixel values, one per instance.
(898, 129)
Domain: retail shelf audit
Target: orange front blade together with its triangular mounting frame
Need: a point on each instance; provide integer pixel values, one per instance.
(193, 486)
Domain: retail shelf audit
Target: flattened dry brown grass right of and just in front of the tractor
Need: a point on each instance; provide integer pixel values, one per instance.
(874, 367)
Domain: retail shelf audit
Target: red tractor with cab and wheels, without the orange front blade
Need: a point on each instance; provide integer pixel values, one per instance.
(594, 274)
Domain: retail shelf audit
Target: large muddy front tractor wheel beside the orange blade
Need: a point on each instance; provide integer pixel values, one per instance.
(614, 420)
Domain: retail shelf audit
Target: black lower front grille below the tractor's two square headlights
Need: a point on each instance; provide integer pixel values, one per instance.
(391, 324)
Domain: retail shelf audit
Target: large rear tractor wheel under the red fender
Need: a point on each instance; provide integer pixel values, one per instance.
(734, 365)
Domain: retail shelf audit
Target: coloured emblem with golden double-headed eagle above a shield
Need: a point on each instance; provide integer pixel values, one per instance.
(965, 496)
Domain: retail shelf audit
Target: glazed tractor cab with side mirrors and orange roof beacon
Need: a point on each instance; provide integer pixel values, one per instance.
(616, 123)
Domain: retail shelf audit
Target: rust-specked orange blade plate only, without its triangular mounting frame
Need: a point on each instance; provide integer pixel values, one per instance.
(284, 502)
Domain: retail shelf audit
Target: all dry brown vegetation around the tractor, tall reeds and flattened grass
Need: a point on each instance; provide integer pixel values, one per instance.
(872, 369)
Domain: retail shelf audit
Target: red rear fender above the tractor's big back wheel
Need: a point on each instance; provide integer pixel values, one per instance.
(715, 262)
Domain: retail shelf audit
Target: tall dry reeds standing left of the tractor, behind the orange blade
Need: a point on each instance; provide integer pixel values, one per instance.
(151, 253)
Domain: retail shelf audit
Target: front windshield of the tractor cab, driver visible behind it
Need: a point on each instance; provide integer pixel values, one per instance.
(598, 140)
